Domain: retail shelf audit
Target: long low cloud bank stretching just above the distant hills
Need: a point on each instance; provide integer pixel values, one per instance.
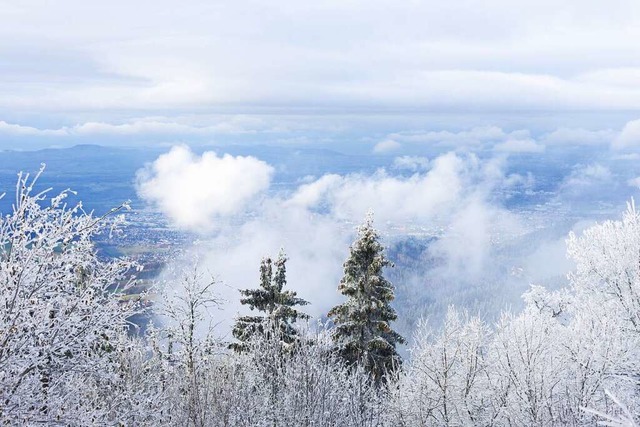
(342, 133)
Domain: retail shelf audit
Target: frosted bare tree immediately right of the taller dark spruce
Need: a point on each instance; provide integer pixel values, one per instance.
(445, 382)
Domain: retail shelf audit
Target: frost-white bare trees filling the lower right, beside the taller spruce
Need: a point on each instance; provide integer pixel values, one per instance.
(559, 362)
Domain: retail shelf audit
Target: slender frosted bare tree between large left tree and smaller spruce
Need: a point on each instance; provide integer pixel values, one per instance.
(184, 345)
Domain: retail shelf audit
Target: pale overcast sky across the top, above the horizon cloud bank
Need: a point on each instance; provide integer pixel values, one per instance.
(78, 63)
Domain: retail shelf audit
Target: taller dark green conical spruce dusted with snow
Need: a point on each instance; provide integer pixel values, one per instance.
(362, 332)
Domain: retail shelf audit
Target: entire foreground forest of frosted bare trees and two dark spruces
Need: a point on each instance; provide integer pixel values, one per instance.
(71, 355)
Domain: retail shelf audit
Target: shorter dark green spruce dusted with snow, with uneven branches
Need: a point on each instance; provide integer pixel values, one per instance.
(276, 303)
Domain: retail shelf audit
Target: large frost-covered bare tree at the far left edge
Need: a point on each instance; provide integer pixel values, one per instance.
(63, 323)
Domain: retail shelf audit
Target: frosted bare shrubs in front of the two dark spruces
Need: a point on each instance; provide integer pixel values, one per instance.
(308, 387)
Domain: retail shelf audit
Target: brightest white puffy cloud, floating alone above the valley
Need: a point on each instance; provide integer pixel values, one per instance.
(193, 191)
